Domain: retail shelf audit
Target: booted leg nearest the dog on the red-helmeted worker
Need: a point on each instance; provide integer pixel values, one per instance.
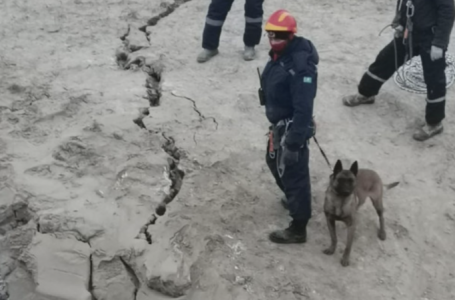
(297, 187)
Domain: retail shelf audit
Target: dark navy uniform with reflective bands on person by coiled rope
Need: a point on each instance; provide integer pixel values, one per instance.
(433, 21)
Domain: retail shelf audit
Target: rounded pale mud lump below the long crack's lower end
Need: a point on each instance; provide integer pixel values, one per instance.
(168, 272)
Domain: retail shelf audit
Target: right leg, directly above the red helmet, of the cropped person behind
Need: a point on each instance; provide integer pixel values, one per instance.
(253, 27)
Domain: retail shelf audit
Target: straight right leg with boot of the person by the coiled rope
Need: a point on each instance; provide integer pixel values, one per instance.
(435, 80)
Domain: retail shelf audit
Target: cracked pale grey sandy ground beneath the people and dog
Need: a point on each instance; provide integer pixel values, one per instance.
(80, 181)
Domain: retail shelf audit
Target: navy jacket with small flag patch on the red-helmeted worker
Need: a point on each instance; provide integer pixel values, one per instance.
(290, 85)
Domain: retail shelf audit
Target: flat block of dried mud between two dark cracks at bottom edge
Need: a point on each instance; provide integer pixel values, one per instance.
(111, 280)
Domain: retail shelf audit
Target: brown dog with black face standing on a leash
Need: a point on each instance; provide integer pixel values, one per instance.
(347, 191)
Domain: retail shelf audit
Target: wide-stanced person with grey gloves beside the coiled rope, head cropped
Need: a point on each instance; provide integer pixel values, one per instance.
(422, 27)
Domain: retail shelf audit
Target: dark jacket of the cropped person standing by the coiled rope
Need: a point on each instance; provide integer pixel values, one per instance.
(435, 15)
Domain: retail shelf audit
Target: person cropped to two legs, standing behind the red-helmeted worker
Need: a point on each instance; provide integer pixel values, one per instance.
(217, 12)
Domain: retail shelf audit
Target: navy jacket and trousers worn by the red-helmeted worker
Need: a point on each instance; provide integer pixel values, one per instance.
(290, 84)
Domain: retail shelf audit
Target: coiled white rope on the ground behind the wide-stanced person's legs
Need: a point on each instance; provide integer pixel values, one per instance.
(409, 77)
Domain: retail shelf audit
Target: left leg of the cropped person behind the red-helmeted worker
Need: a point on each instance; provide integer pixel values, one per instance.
(217, 13)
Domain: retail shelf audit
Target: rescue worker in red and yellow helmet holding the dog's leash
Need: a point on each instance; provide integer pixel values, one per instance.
(289, 84)
